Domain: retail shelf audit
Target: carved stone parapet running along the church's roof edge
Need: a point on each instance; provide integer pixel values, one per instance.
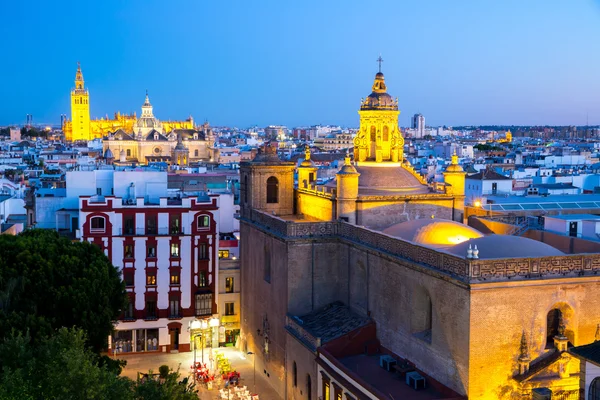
(461, 268)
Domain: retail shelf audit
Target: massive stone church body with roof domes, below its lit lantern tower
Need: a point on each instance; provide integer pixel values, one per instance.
(493, 322)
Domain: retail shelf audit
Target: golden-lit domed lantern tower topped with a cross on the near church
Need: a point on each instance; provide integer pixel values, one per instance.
(379, 139)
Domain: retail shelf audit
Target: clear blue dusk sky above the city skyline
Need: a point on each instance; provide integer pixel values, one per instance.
(242, 63)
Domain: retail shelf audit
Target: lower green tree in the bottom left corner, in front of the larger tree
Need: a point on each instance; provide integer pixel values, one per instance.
(59, 367)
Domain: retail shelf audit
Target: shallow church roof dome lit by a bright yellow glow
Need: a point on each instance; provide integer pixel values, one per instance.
(433, 232)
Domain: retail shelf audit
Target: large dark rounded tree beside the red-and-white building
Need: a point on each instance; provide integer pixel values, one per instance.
(48, 282)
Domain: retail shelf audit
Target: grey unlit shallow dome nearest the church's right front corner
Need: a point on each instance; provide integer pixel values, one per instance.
(502, 246)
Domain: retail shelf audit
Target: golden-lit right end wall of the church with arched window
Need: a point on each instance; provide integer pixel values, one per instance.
(501, 312)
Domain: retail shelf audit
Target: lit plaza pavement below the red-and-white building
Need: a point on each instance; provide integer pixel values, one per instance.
(141, 362)
